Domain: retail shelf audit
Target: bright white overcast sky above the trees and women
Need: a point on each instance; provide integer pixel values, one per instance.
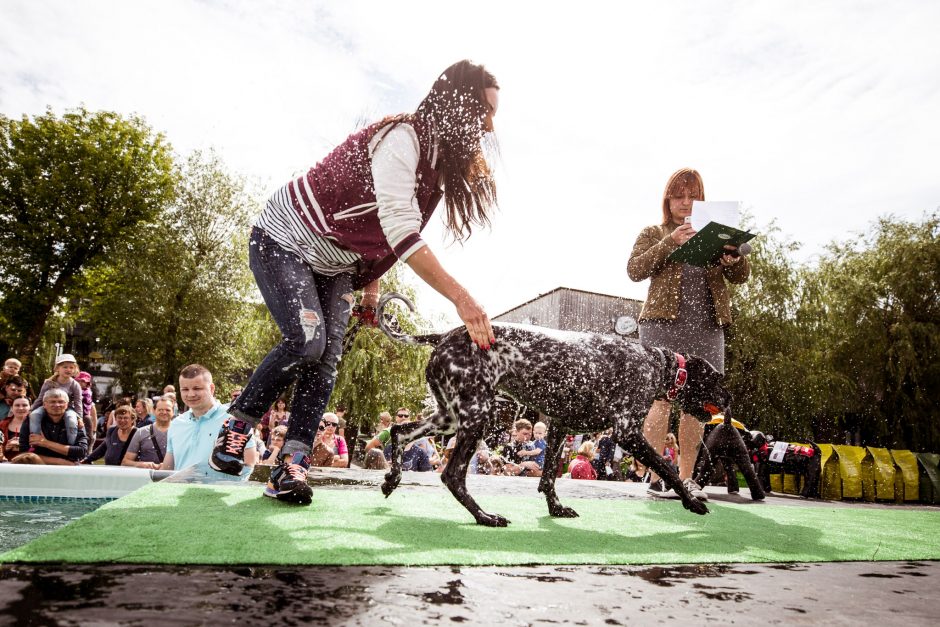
(821, 115)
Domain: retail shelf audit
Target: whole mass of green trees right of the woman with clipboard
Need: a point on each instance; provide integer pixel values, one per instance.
(848, 345)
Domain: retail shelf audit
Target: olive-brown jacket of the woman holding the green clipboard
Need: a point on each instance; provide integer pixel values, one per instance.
(648, 261)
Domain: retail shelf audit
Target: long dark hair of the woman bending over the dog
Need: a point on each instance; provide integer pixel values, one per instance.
(456, 107)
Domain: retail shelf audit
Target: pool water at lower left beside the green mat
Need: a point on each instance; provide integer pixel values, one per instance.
(21, 521)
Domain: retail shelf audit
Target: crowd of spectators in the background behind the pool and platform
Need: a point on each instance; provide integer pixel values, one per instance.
(61, 425)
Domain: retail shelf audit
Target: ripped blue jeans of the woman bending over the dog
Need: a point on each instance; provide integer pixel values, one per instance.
(312, 311)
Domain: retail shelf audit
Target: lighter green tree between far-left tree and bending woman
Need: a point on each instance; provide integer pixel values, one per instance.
(181, 291)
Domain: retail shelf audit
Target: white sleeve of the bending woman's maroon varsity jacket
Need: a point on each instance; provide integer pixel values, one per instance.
(394, 163)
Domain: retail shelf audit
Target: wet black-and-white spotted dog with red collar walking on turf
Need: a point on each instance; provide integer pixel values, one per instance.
(581, 382)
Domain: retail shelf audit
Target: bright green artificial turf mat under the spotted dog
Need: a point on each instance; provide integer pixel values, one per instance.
(233, 524)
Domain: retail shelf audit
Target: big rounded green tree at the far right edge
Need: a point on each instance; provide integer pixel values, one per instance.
(883, 334)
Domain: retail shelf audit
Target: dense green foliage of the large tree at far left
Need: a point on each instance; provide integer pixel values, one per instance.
(70, 189)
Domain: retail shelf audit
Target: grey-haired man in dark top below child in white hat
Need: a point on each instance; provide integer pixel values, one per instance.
(52, 431)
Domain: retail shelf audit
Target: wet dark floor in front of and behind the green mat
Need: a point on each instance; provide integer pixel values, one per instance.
(879, 593)
